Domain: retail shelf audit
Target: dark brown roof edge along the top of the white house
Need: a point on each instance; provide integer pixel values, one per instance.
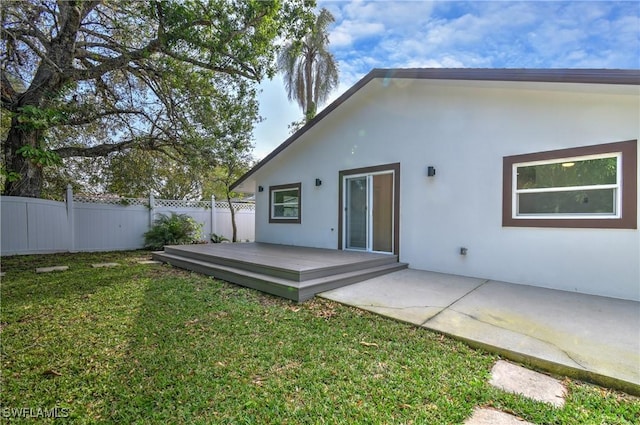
(584, 76)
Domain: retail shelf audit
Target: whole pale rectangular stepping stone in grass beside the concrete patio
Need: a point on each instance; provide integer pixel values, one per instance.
(537, 386)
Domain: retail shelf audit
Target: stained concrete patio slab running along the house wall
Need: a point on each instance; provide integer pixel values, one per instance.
(591, 338)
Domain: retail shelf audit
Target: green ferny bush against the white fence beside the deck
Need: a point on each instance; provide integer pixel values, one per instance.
(176, 229)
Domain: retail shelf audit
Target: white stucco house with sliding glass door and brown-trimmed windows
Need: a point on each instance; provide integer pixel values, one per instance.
(523, 176)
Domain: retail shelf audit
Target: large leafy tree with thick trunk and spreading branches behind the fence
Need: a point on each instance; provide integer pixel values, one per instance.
(106, 78)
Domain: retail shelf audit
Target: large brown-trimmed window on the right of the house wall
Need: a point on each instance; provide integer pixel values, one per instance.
(593, 186)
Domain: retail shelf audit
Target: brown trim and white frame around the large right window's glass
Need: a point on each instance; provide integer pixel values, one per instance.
(626, 209)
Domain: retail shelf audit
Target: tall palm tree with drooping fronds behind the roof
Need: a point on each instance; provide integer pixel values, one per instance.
(310, 70)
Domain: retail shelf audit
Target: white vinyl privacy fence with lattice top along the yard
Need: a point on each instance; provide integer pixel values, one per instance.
(33, 226)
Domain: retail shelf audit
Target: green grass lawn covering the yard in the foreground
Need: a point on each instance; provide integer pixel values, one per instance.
(153, 344)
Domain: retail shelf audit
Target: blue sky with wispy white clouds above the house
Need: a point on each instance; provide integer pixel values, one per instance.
(462, 34)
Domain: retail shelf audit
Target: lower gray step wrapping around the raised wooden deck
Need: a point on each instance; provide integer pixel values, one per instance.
(286, 288)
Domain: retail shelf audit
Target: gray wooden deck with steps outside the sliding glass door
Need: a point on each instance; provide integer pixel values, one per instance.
(293, 272)
